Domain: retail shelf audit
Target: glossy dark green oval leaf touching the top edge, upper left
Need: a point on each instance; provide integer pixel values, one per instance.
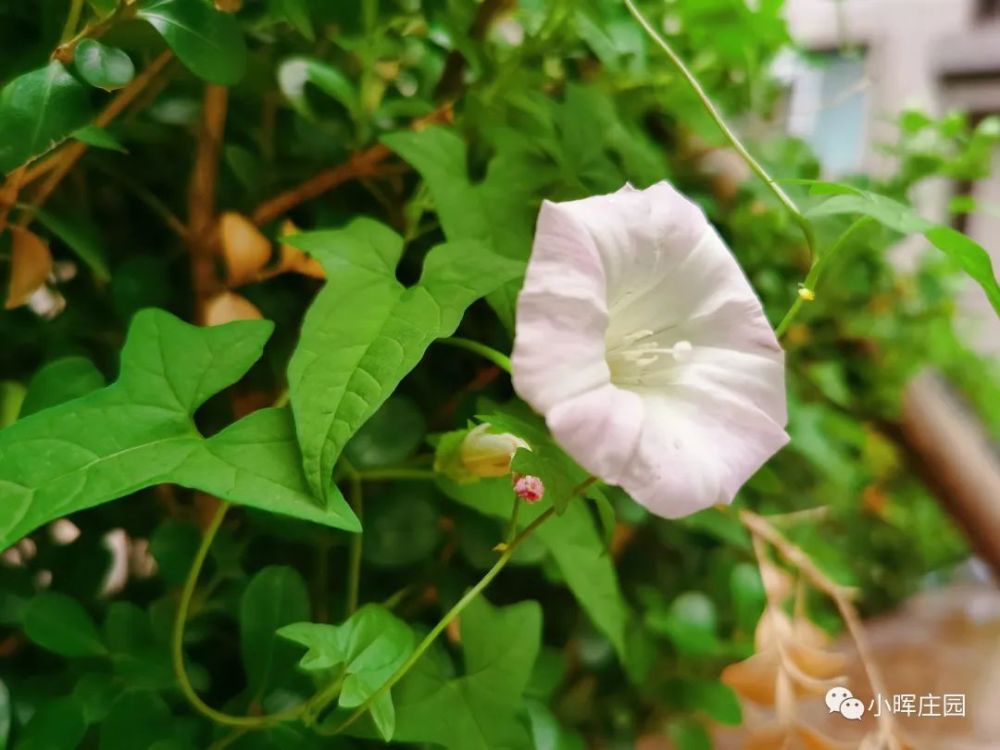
(209, 42)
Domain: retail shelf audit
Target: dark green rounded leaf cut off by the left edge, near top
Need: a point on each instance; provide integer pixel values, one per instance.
(38, 110)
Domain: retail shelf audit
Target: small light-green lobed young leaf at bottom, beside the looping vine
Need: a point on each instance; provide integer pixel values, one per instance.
(367, 650)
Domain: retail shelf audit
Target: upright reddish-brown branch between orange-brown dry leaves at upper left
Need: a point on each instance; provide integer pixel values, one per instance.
(201, 197)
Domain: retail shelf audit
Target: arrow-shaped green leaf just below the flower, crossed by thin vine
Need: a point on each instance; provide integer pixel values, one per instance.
(574, 543)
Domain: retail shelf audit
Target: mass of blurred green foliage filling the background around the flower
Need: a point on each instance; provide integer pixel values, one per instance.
(557, 100)
